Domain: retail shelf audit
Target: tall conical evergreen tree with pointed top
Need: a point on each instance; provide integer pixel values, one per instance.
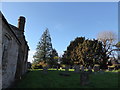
(44, 48)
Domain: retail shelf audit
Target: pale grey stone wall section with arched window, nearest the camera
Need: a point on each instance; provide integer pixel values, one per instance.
(10, 55)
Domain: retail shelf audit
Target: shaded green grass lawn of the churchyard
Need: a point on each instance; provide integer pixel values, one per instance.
(37, 79)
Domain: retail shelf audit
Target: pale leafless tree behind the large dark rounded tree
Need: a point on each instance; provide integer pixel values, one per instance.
(108, 39)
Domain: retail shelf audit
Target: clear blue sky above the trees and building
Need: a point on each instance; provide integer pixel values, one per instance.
(65, 20)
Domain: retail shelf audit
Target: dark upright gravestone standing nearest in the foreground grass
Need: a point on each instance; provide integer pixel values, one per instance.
(84, 78)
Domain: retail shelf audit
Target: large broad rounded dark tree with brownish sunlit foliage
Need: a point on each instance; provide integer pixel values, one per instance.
(86, 52)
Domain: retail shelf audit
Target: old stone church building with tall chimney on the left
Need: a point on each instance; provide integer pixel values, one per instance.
(14, 51)
